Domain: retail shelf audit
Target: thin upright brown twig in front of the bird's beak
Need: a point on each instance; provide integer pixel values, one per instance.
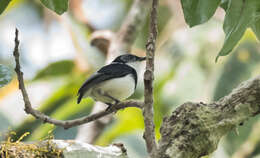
(149, 134)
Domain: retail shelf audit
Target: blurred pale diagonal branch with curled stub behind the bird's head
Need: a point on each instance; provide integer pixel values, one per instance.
(115, 44)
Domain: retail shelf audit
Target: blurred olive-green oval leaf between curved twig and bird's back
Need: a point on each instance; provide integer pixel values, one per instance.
(56, 69)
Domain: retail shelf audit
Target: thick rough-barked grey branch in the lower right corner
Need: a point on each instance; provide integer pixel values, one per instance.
(194, 129)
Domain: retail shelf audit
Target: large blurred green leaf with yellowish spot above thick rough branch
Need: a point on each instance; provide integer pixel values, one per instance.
(238, 68)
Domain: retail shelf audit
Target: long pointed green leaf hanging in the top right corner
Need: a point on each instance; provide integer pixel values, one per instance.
(239, 15)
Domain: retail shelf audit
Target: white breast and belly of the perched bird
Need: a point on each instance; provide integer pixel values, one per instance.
(119, 88)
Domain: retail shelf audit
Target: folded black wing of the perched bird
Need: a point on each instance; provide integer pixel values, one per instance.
(107, 72)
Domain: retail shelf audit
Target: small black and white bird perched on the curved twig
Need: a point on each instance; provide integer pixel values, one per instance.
(114, 82)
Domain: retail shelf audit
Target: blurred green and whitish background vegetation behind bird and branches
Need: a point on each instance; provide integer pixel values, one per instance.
(57, 56)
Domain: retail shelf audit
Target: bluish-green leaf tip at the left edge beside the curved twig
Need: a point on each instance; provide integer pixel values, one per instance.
(5, 75)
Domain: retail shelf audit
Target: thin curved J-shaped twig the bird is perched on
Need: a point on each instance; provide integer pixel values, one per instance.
(69, 123)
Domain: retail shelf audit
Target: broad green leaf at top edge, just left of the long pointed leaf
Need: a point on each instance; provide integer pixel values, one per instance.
(198, 11)
